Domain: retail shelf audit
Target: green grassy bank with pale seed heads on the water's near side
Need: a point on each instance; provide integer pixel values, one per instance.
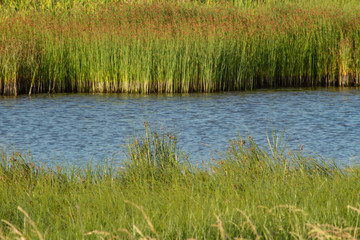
(250, 192)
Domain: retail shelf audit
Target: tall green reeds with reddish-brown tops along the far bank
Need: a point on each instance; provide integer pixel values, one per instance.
(178, 47)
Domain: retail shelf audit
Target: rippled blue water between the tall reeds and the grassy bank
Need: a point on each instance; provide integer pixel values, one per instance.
(79, 128)
